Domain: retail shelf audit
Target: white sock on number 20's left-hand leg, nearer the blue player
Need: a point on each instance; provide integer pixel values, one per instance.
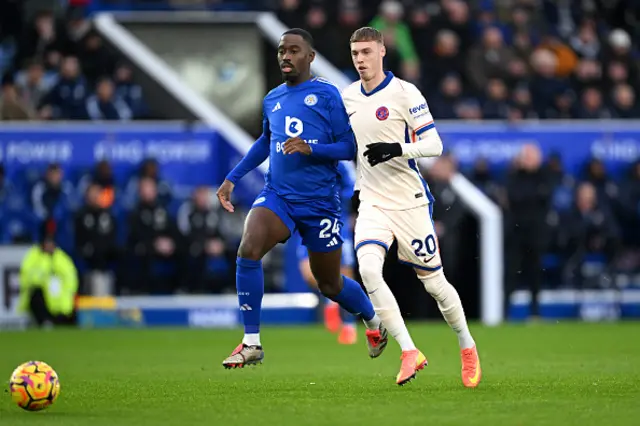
(371, 259)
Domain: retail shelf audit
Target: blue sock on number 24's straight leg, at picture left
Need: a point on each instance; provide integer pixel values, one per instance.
(250, 286)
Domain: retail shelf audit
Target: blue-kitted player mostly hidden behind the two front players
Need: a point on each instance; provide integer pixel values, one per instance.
(336, 319)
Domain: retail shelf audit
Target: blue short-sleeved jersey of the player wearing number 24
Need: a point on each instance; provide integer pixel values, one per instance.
(314, 111)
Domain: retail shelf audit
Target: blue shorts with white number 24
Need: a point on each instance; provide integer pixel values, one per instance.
(319, 223)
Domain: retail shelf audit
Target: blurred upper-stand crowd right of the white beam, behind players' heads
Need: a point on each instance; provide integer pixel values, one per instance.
(494, 59)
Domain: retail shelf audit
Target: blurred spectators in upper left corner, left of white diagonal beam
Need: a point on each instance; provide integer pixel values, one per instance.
(55, 66)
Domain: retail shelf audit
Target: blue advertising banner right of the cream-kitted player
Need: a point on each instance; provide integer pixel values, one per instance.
(616, 143)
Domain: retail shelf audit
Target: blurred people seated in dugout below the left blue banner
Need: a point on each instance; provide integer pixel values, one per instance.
(134, 236)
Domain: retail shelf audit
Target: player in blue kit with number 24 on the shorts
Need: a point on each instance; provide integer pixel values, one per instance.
(306, 131)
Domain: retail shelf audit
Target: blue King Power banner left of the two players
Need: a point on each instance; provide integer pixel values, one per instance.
(186, 154)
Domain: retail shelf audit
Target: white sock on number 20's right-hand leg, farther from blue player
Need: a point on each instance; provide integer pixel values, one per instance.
(450, 305)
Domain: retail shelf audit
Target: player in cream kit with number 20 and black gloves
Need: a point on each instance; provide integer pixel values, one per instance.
(393, 127)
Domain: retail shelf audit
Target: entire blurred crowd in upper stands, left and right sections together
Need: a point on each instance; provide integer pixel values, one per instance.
(477, 59)
